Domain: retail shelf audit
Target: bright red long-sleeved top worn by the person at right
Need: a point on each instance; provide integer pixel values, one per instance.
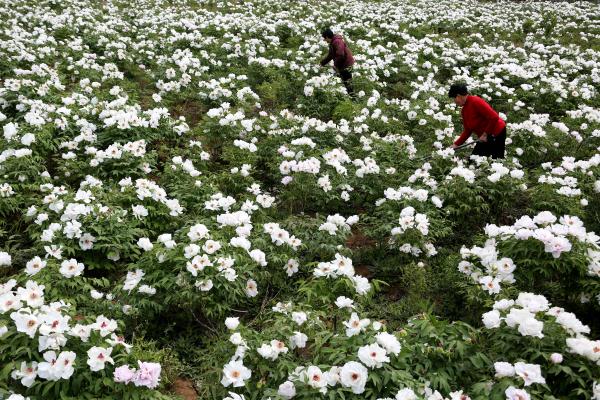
(479, 117)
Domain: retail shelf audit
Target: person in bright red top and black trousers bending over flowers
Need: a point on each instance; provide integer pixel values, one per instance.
(479, 118)
